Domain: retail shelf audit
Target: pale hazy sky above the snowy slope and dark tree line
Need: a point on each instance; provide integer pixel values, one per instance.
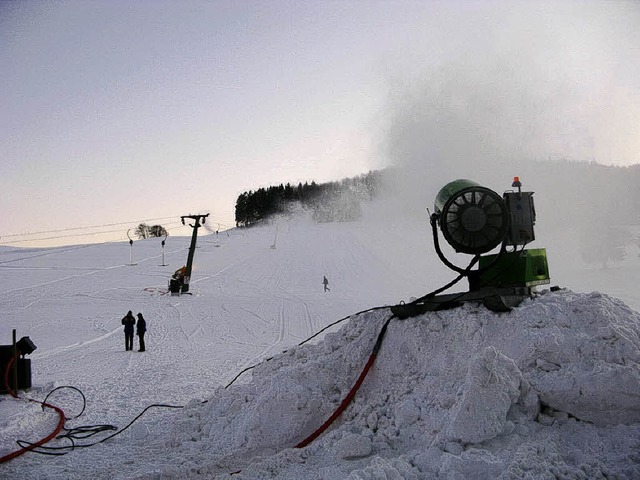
(114, 112)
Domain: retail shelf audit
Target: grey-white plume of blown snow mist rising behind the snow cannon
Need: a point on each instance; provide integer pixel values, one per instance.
(506, 89)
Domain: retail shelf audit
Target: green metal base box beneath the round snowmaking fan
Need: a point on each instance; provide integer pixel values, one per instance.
(526, 268)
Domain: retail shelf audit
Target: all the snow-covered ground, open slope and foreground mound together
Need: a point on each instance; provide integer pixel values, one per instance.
(548, 390)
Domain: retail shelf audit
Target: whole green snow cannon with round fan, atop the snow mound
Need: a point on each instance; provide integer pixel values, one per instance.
(476, 220)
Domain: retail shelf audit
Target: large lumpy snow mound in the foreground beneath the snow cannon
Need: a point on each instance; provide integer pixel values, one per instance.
(548, 390)
